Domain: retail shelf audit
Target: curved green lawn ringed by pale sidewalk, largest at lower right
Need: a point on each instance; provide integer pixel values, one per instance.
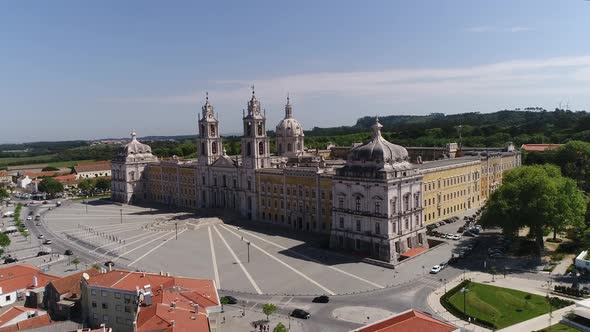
(500, 306)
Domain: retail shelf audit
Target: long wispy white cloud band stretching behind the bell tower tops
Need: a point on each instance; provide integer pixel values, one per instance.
(557, 76)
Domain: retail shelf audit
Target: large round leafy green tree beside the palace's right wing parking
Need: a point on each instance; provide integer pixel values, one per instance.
(535, 196)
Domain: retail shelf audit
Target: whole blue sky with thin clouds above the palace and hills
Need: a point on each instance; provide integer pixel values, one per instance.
(86, 70)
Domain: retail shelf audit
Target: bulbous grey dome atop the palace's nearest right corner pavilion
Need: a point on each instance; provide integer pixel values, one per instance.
(379, 150)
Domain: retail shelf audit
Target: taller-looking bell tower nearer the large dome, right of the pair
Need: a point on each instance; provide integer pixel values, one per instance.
(255, 143)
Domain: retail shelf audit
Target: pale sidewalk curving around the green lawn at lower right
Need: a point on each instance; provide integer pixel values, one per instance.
(538, 287)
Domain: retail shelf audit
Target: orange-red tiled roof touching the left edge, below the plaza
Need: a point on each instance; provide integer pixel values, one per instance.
(17, 277)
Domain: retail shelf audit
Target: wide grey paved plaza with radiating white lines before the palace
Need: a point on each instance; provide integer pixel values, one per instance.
(183, 244)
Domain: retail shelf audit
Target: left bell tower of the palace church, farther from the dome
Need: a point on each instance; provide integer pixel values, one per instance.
(209, 142)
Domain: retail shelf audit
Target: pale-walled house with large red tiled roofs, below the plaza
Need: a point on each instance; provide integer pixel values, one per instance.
(136, 301)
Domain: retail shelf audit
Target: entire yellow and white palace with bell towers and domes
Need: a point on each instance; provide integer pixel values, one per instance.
(372, 201)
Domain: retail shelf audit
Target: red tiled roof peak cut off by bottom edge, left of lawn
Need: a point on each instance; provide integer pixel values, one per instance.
(409, 321)
